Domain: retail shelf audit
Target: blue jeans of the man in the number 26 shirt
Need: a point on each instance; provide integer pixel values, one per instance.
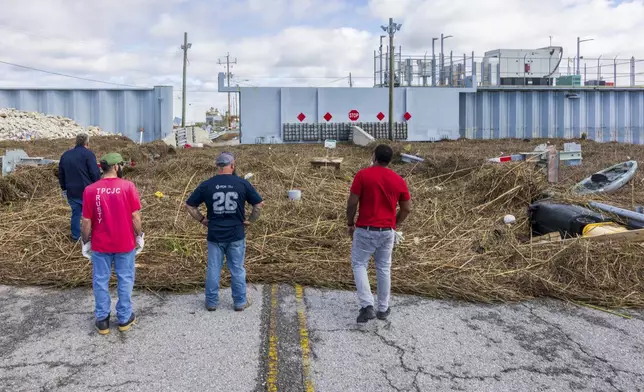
(234, 253)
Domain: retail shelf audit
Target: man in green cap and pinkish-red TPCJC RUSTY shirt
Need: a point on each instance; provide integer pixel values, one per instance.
(111, 217)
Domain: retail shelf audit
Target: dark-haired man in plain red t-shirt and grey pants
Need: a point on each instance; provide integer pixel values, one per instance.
(377, 190)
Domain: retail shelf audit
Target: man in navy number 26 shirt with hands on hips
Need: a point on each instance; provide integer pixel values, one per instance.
(225, 196)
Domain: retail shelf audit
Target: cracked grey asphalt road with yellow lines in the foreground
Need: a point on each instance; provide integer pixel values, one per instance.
(289, 341)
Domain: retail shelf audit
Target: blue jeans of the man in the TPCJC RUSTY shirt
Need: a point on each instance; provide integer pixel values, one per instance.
(124, 268)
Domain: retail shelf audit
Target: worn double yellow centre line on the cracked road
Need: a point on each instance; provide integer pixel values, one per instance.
(304, 341)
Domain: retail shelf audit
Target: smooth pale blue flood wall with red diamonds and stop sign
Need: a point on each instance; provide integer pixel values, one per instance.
(265, 111)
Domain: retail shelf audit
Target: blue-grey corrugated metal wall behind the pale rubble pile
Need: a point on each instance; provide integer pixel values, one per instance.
(117, 111)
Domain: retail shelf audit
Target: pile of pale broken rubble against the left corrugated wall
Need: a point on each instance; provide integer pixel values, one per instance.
(22, 125)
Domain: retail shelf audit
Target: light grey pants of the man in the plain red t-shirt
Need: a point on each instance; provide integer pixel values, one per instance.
(378, 244)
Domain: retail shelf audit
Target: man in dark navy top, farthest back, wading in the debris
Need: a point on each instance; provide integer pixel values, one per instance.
(77, 169)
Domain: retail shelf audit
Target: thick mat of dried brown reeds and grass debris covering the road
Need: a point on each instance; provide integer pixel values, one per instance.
(456, 245)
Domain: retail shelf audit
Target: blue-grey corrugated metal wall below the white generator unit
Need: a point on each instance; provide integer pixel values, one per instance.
(604, 115)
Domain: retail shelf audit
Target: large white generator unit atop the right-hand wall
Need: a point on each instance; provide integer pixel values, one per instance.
(522, 67)
